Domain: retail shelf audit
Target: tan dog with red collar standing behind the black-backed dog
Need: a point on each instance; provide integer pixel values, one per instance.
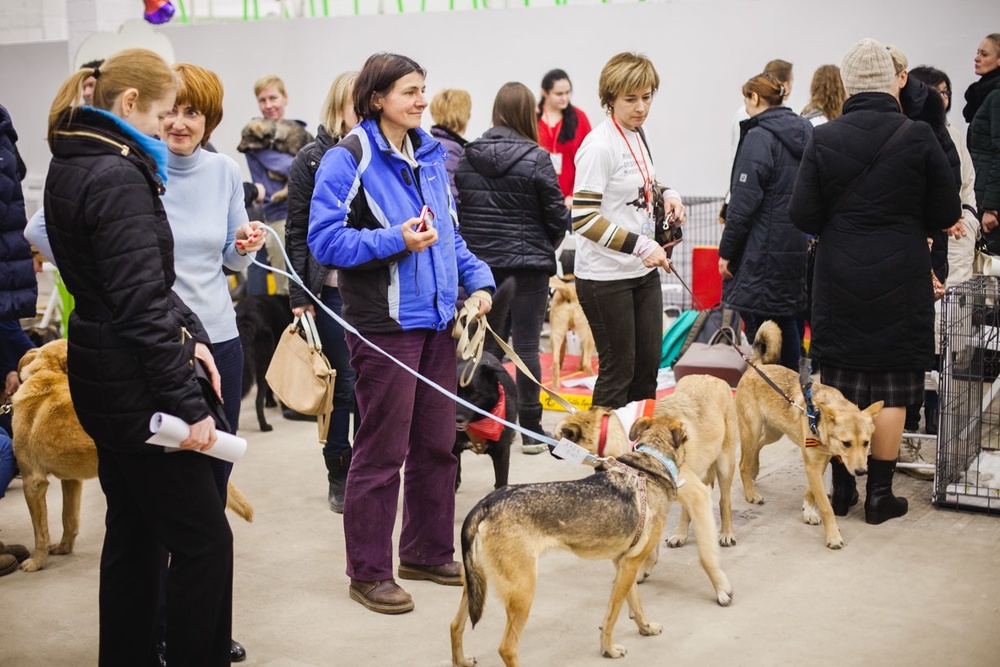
(704, 405)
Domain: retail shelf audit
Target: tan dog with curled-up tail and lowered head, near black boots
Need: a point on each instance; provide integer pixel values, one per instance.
(764, 416)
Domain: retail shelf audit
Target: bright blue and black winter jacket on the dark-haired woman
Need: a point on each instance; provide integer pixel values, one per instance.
(364, 193)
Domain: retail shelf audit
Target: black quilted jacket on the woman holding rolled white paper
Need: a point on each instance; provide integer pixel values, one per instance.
(131, 338)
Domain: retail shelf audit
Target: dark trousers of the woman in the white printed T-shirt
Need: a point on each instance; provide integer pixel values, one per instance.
(626, 317)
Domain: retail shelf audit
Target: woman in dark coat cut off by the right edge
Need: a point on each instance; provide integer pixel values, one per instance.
(982, 112)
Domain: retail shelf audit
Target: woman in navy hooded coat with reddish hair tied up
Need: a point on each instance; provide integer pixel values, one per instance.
(762, 257)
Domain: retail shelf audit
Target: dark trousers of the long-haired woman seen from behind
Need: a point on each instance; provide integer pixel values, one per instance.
(523, 322)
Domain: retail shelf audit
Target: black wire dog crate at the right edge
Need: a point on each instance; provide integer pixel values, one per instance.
(967, 471)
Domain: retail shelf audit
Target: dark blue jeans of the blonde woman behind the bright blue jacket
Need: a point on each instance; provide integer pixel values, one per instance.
(331, 335)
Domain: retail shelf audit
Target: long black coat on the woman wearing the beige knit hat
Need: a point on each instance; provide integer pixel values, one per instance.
(873, 305)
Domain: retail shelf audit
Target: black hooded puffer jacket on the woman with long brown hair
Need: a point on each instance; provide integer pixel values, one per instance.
(512, 211)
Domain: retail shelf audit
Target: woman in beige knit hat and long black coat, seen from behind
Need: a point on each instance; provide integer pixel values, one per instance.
(873, 204)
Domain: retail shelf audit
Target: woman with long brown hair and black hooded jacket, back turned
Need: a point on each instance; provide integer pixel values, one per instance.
(513, 217)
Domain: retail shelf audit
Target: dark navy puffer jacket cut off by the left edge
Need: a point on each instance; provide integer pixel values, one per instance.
(18, 287)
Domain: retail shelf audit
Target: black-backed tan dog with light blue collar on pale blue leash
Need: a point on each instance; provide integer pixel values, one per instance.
(597, 517)
